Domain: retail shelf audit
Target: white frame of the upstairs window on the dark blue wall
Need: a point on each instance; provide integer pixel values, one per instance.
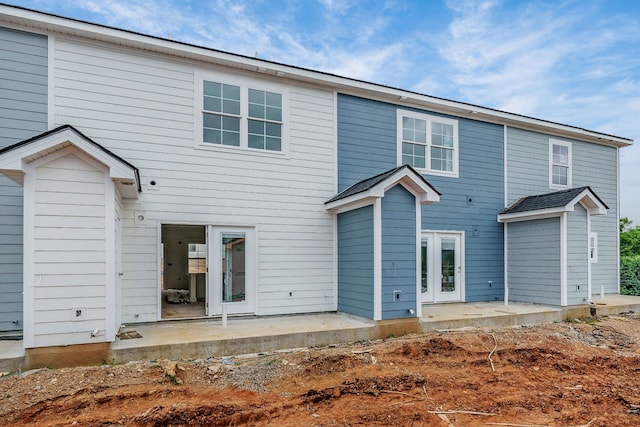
(429, 119)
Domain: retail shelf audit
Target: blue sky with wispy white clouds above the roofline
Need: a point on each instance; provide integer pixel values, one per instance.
(575, 62)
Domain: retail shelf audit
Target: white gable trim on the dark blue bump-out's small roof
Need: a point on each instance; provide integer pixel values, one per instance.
(413, 183)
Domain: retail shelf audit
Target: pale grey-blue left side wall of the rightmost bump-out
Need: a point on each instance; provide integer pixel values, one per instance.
(534, 261)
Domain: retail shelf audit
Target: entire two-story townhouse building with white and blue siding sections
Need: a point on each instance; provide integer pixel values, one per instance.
(144, 179)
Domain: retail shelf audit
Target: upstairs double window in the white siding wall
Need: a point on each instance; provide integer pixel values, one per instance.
(241, 115)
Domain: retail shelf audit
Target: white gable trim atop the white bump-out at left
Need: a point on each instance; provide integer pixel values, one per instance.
(14, 162)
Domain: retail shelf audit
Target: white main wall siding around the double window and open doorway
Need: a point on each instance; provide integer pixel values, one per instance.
(142, 108)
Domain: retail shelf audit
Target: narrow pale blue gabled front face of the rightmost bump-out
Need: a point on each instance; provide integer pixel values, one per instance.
(577, 256)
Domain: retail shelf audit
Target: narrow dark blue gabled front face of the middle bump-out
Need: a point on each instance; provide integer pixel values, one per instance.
(398, 253)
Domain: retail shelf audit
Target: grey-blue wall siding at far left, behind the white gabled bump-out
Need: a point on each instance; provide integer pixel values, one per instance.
(23, 114)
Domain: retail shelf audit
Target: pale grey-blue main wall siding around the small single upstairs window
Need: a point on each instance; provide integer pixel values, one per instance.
(528, 174)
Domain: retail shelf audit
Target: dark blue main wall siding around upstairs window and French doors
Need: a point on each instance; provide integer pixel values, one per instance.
(470, 203)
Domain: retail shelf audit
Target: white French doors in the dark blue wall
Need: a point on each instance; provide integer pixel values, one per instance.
(442, 266)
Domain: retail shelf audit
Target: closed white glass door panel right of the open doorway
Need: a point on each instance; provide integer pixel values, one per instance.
(232, 275)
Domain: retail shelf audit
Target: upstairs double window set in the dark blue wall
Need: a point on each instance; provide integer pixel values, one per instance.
(428, 143)
